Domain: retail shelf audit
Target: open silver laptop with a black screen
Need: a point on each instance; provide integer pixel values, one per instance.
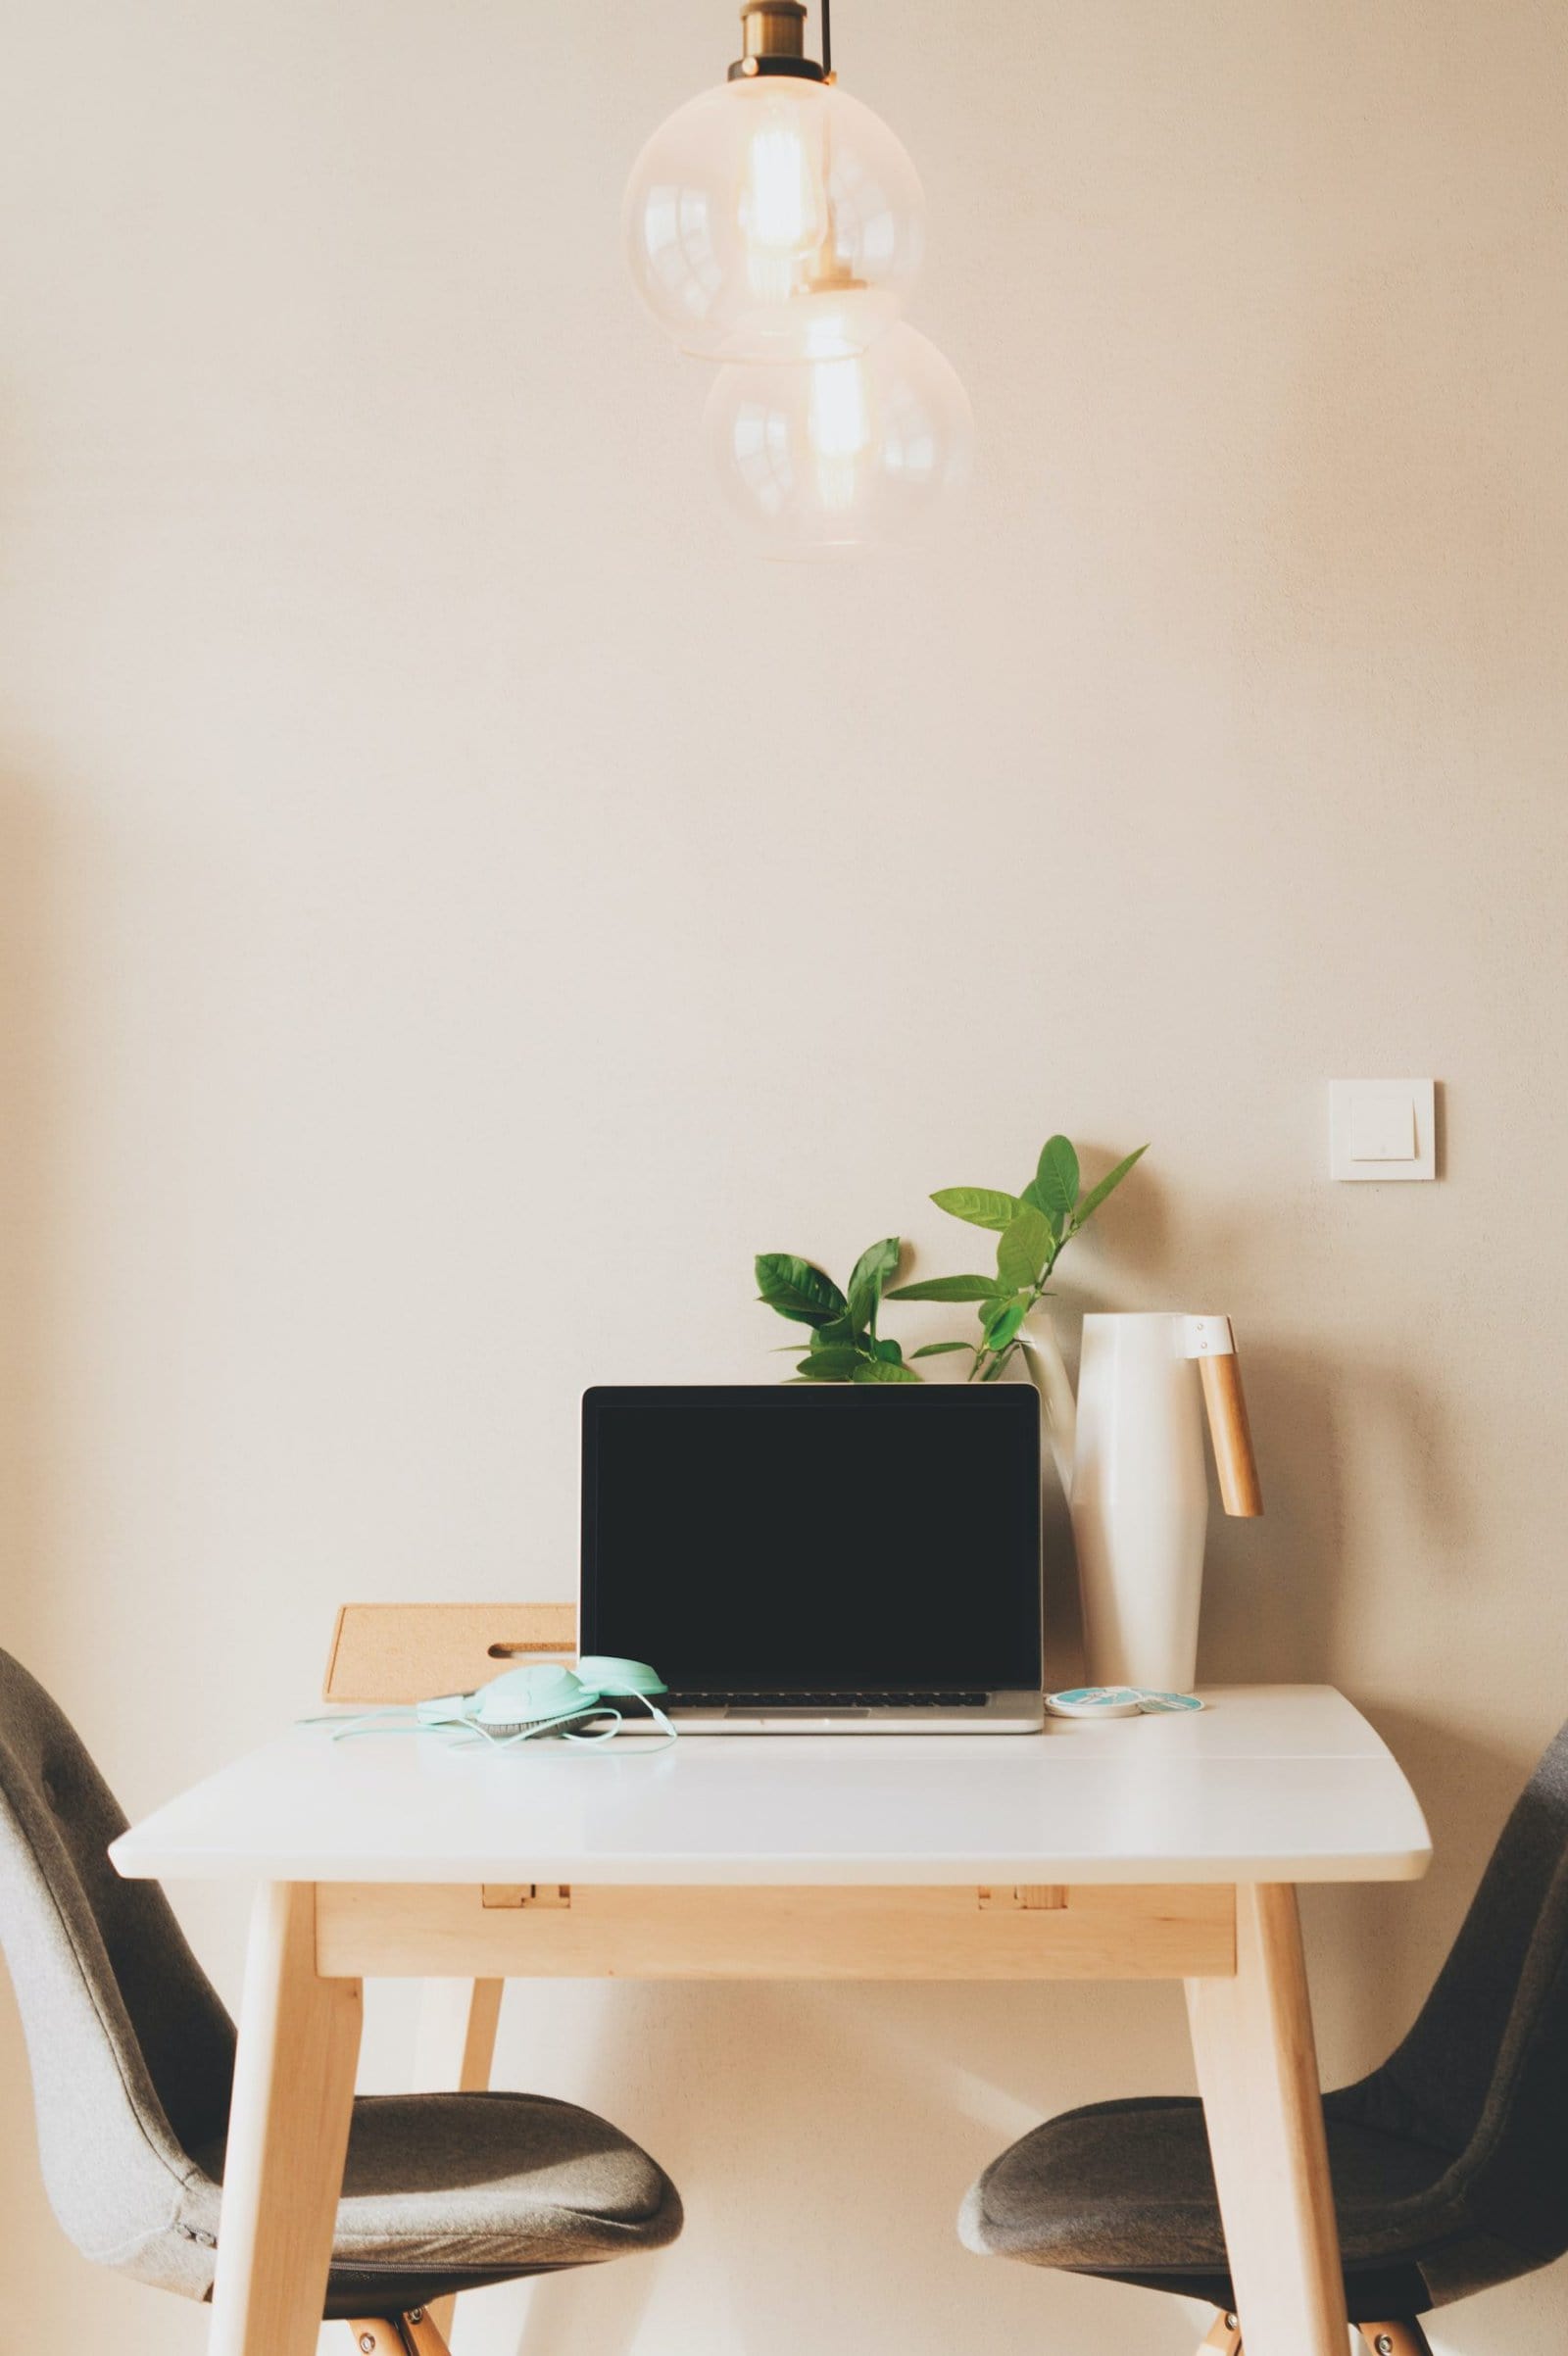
(804, 1561)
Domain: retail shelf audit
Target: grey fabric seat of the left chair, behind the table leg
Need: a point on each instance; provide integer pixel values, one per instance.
(449, 2190)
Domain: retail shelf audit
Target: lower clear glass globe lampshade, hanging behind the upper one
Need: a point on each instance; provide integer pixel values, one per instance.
(820, 458)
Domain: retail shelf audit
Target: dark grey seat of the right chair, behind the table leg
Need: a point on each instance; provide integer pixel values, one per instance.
(1127, 2188)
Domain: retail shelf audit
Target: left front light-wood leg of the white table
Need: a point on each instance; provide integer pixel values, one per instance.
(288, 2133)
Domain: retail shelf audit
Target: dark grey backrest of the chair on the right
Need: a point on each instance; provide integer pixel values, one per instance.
(1484, 2070)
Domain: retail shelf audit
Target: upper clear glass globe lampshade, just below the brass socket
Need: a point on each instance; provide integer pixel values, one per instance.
(773, 218)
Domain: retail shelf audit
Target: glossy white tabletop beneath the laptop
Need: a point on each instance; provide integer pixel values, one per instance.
(1265, 1785)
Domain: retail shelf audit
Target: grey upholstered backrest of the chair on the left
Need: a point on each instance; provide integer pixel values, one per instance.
(131, 2049)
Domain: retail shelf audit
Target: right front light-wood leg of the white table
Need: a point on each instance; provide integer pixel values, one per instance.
(1265, 2126)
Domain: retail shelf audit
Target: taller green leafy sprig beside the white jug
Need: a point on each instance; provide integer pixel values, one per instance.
(1032, 1229)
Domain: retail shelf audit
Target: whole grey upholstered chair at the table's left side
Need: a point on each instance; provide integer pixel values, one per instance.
(133, 2067)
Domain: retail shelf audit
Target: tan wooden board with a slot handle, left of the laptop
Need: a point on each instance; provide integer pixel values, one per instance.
(408, 1653)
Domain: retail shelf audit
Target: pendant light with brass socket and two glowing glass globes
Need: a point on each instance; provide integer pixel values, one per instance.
(776, 225)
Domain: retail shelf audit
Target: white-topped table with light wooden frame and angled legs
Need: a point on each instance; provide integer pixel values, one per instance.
(1157, 1848)
